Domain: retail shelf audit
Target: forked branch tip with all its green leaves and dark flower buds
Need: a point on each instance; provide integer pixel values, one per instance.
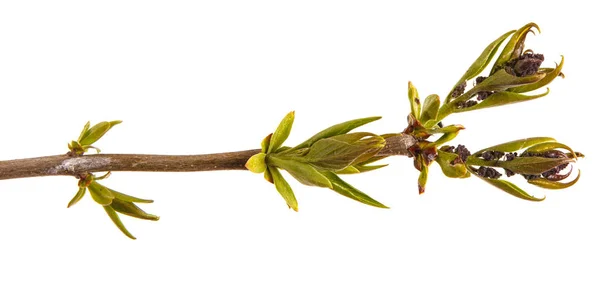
(514, 72)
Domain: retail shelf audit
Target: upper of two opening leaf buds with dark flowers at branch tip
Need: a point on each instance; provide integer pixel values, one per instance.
(515, 72)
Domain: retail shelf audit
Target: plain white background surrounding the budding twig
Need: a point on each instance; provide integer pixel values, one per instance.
(192, 78)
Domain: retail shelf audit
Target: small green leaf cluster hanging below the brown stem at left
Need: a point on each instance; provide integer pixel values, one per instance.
(112, 201)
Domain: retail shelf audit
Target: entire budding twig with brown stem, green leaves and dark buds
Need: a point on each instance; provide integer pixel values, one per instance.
(505, 73)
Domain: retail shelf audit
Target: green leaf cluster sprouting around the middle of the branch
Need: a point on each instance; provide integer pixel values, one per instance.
(319, 160)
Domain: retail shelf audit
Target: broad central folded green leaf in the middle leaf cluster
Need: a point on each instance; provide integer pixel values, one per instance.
(340, 151)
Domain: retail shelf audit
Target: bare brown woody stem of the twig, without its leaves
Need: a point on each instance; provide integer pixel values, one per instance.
(65, 165)
